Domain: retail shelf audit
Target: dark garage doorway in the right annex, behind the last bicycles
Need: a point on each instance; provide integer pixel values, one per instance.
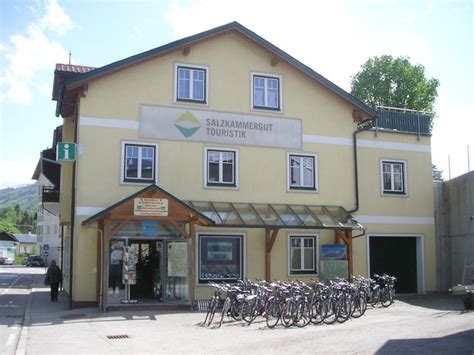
(395, 256)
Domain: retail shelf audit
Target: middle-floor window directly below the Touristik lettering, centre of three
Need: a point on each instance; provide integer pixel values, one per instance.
(221, 167)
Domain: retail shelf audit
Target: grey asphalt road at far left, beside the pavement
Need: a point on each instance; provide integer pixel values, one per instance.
(15, 286)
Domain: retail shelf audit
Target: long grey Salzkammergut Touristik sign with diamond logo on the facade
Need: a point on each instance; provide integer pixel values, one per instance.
(159, 122)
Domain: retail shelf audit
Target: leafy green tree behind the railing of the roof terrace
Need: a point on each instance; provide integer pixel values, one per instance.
(395, 82)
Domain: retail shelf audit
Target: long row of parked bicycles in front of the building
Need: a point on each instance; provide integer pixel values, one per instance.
(296, 303)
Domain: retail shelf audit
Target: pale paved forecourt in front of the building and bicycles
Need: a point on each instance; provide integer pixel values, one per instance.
(413, 325)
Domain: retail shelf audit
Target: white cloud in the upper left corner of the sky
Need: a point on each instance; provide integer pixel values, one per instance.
(28, 54)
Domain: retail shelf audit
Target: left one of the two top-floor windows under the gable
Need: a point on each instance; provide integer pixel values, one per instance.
(191, 83)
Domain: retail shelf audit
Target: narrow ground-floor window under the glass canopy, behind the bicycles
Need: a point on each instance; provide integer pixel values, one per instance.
(303, 254)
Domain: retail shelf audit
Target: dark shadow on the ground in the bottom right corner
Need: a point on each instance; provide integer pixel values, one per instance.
(458, 343)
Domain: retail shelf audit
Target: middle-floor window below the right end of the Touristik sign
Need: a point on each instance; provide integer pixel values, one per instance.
(302, 171)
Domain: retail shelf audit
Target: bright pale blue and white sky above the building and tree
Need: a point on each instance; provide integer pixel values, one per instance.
(332, 37)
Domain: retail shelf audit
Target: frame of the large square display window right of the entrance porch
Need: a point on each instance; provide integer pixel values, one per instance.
(243, 255)
